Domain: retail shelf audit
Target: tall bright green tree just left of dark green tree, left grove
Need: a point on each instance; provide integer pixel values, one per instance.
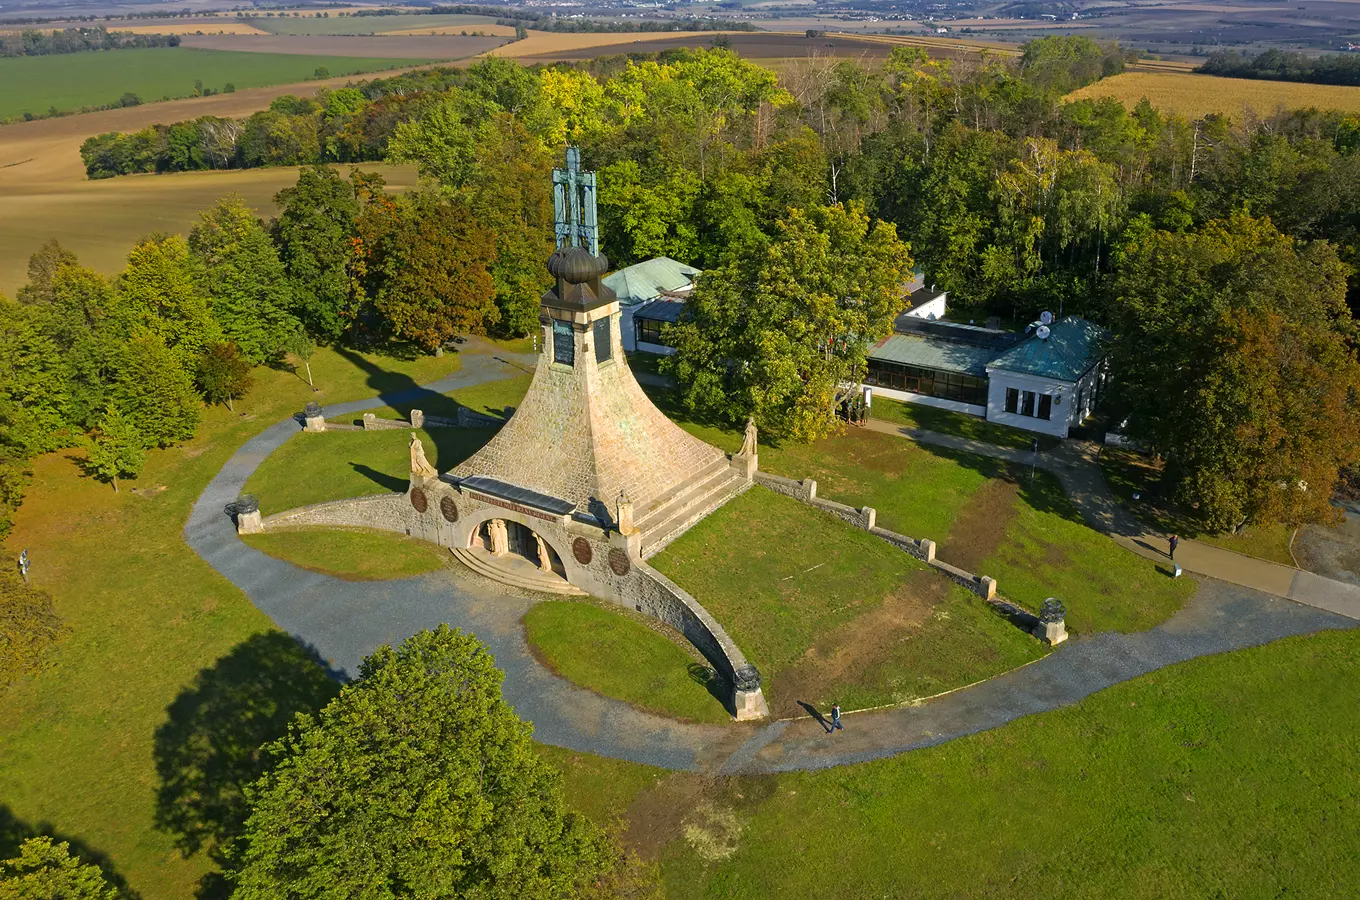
(241, 275)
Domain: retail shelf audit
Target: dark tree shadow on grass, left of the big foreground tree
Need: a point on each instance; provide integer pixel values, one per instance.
(210, 748)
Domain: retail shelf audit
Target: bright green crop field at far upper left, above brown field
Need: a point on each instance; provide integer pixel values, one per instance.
(74, 81)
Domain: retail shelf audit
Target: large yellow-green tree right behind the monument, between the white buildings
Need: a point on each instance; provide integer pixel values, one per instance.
(783, 332)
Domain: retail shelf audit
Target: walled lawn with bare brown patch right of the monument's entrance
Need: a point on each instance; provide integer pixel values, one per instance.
(832, 614)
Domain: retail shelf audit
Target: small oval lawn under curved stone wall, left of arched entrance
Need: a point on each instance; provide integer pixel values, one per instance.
(353, 554)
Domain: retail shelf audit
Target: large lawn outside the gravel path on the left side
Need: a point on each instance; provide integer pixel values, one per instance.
(148, 617)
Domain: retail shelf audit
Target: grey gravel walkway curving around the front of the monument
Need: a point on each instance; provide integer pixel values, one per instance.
(343, 622)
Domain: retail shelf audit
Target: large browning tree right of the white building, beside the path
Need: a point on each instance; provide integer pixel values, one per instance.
(1236, 357)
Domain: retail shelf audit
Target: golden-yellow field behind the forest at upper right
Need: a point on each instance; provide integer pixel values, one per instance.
(1195, 96)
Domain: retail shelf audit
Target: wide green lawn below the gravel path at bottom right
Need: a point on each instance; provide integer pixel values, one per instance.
(1225, 777)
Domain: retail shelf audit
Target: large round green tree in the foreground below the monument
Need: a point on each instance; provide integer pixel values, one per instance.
(417, 781)
